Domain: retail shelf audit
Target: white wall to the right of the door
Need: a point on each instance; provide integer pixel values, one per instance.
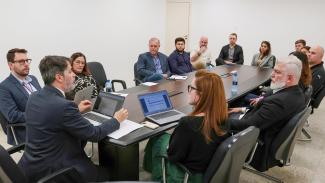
(279, 21)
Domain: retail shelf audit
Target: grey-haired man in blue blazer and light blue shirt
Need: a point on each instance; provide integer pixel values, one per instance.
(152, 65)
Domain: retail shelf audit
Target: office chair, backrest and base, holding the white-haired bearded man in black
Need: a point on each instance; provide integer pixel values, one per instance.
(283, 144)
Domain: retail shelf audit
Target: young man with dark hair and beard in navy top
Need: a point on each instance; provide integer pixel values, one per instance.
(179, 60)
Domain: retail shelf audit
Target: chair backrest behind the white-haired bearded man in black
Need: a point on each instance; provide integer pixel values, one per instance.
(284, 142)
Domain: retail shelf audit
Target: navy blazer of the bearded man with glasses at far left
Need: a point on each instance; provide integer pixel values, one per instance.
(13, 99)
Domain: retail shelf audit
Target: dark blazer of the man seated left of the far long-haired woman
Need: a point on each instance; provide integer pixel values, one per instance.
(238, 55)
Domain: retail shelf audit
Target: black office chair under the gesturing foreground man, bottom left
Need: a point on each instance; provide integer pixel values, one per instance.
(10, 172)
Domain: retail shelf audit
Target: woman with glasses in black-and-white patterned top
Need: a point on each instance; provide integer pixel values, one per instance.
(83, 76)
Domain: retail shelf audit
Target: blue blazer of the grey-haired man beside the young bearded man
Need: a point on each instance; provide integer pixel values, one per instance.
(146, 66)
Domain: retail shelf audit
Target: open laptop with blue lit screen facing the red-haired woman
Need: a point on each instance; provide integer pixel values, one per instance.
(156, 106)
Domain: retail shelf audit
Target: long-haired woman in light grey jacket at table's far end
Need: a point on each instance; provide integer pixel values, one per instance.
(264, 58)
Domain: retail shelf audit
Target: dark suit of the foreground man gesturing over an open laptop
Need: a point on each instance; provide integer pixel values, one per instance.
(55, 131)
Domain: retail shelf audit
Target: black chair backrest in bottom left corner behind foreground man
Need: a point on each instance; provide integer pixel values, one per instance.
(9, 168)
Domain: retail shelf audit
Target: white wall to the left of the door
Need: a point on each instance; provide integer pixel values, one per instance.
(113, 32)
